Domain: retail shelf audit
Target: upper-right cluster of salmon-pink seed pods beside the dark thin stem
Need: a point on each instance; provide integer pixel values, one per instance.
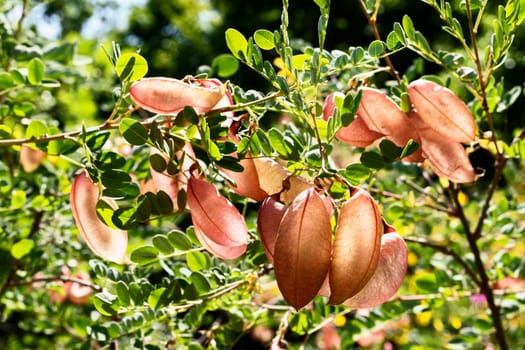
(439, 121)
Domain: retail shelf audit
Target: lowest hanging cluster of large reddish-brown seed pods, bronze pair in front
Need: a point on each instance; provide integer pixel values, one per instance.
(361, 264)
